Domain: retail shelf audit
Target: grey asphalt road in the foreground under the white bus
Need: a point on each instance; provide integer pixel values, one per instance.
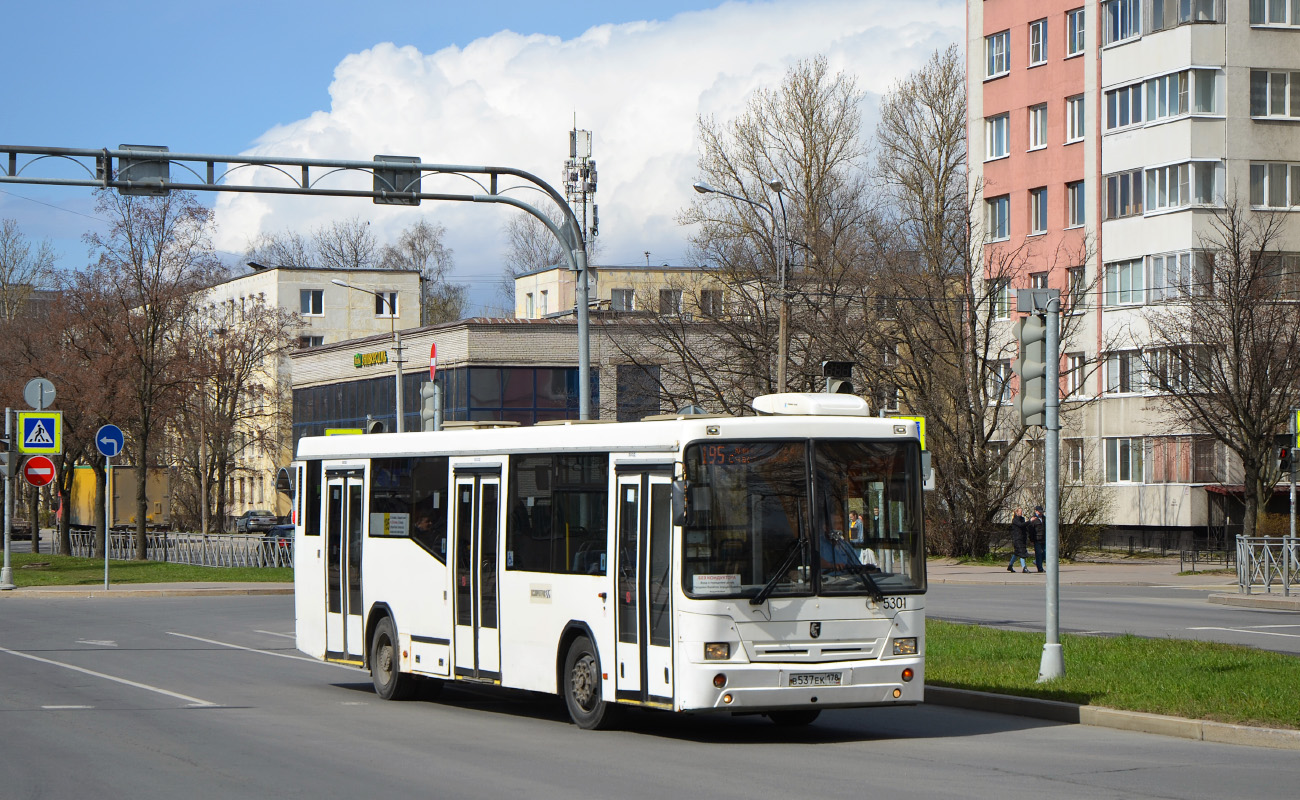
(207, 698)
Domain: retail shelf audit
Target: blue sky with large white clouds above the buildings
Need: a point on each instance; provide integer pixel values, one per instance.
(493, 84)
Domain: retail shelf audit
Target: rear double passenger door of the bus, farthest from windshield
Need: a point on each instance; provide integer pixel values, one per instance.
(344, 542)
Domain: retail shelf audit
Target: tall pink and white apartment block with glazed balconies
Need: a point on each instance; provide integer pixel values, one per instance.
(1103, 136)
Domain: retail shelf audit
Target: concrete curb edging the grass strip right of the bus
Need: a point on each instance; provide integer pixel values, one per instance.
(1097, 716)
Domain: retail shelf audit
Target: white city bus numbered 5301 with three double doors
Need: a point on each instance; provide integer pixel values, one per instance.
(770, 564)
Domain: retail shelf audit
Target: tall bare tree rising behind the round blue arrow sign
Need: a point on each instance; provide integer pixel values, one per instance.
(151, 266)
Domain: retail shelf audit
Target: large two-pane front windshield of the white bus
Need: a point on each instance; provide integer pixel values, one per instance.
(755, 525)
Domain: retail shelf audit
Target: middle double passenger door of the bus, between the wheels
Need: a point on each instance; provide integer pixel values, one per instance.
(478, 635)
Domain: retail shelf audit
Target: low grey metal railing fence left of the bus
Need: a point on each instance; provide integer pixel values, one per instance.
(211, 551)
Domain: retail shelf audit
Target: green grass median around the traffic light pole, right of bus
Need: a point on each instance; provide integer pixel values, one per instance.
(1191, 680)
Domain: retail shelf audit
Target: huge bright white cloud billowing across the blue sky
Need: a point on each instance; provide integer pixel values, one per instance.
(510, 101)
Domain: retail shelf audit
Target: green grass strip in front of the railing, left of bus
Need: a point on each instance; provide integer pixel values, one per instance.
(71, 572)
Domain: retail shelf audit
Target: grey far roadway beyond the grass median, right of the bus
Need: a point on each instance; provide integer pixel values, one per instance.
(1154, 612)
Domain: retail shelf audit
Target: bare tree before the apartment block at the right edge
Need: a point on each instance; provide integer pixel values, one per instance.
(1225, 352)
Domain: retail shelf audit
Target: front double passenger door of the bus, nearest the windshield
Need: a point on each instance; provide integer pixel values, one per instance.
(644, 586)
